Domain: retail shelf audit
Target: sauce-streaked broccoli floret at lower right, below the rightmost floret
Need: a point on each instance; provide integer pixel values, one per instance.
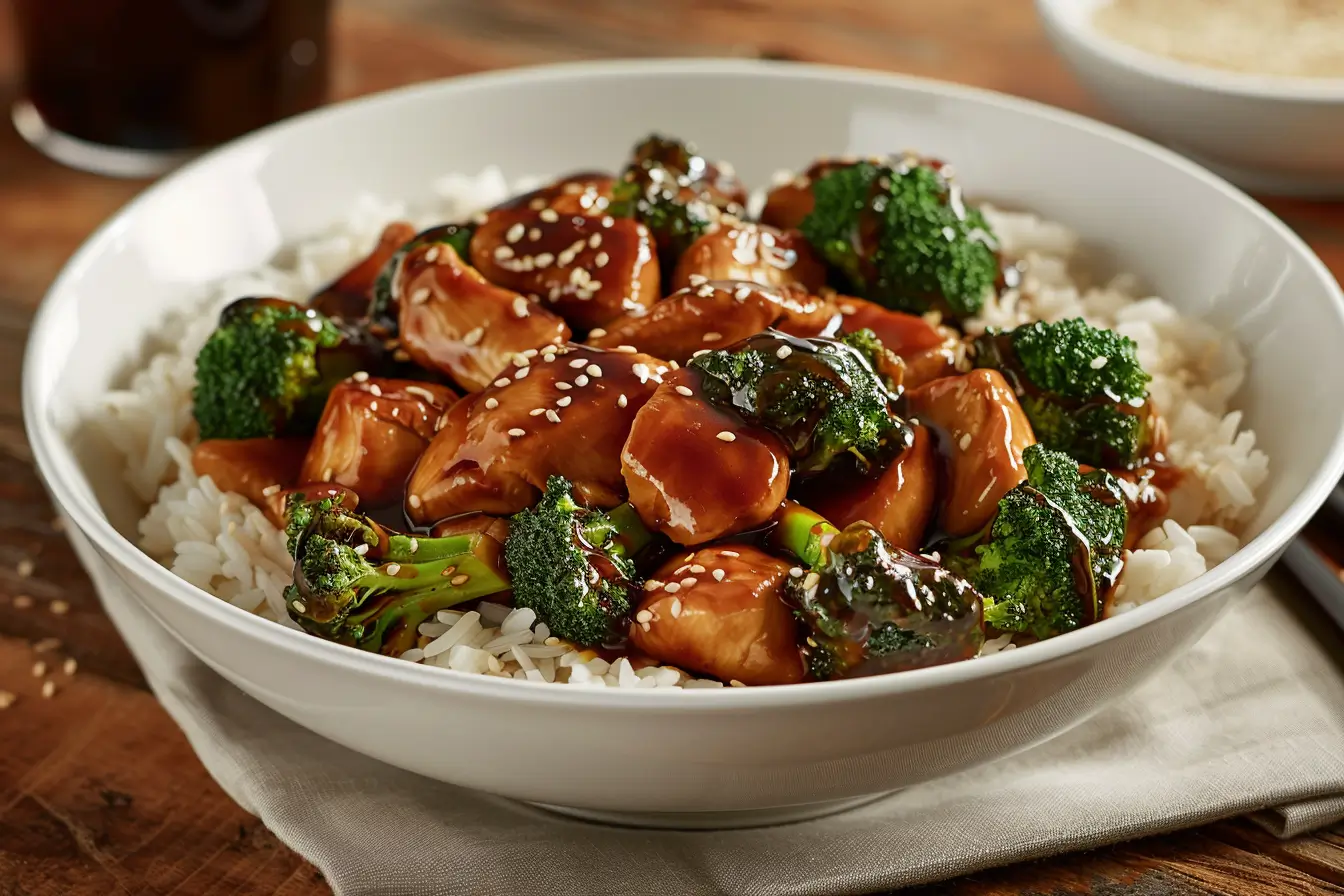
(1052, 551)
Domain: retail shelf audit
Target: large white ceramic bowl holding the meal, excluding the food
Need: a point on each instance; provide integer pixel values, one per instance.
(745, 754)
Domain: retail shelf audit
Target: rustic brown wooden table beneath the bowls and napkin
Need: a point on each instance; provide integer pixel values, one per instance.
(100, 793)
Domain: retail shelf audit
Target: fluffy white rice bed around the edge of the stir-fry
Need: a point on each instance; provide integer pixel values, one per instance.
(225, 546)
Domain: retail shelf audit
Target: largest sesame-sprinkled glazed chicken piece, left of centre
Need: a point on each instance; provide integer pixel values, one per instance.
(564, 413)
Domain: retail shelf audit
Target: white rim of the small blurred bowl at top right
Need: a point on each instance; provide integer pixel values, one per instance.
(1186, 75)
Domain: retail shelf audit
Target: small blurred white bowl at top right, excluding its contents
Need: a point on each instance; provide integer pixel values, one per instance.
(1268, 134)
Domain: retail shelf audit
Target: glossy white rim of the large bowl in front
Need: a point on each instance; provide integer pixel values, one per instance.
(85, 512)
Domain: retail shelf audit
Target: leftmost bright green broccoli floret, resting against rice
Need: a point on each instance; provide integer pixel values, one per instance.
(267, 370)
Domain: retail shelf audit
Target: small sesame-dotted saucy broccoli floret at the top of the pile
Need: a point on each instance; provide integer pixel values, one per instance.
(675, 193)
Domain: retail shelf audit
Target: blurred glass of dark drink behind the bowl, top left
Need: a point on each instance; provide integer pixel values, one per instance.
(132, 88)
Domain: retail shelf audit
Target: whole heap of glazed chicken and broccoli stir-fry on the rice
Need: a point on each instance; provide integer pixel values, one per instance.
(759, 451)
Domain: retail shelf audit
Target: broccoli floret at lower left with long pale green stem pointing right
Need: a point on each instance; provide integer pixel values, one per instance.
(365, 586)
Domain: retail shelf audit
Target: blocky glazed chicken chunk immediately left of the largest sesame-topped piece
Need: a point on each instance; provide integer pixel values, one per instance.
(372, 435)
